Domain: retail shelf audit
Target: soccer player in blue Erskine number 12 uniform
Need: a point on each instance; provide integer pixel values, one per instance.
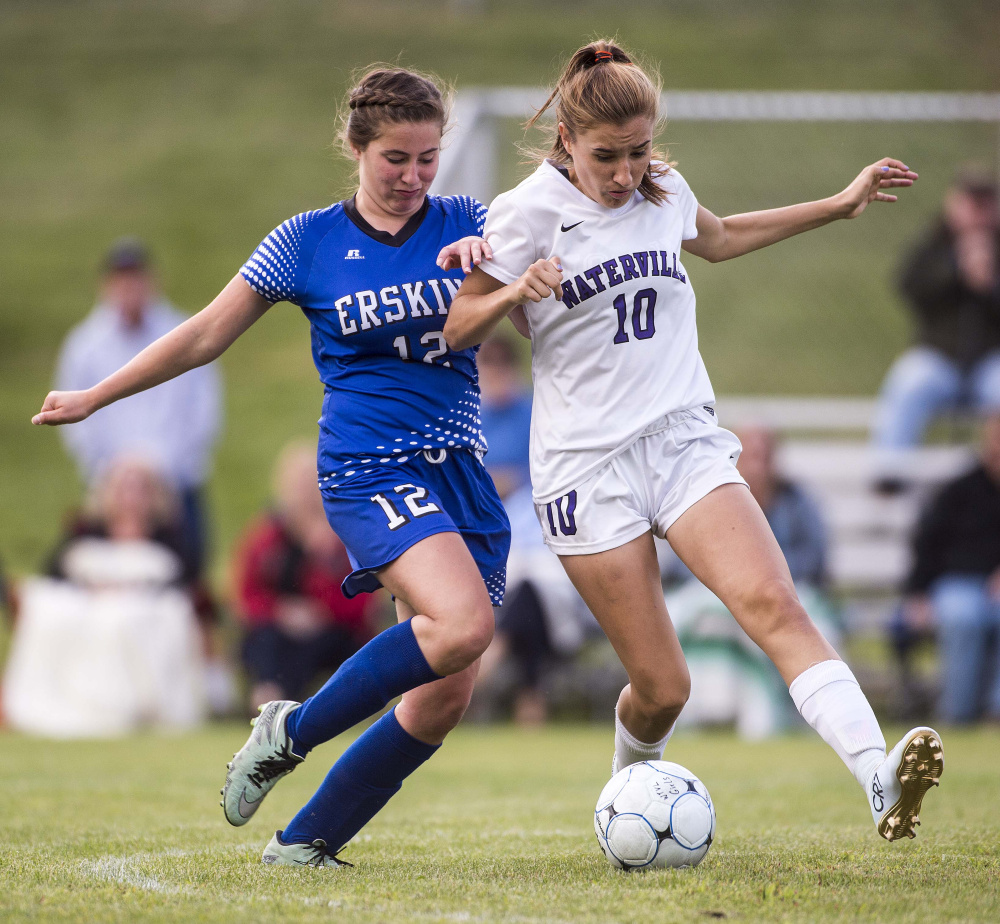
(399, 458)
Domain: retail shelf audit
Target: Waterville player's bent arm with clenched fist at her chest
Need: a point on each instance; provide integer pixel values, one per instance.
(483, 302)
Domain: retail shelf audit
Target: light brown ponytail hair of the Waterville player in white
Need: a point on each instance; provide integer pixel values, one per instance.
(602, 85)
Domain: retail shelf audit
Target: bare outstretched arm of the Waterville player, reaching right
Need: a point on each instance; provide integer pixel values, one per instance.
(724, 238)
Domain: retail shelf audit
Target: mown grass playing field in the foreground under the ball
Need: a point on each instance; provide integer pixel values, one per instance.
(496, 828)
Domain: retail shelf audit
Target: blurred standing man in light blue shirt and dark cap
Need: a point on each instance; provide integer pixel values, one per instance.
(175, 424)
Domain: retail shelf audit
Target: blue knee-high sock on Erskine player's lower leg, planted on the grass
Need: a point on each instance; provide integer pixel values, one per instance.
(369, 773)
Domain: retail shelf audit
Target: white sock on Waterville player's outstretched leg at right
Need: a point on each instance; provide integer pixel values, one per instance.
(829, 698)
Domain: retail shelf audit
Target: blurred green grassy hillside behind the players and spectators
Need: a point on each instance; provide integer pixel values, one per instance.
(201, 125)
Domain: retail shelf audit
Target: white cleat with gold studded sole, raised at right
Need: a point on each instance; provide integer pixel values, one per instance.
(897, 787)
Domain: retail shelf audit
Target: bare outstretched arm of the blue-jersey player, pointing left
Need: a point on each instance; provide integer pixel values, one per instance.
(199, 340)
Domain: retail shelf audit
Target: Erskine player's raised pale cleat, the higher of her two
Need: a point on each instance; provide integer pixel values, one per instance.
(260, 763)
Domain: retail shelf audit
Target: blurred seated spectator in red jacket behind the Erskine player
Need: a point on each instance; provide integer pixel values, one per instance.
(288, 573)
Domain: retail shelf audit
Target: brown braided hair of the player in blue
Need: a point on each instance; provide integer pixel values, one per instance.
(387, 94)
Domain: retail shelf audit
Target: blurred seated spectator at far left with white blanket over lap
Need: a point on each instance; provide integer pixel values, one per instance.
(110, 641)
